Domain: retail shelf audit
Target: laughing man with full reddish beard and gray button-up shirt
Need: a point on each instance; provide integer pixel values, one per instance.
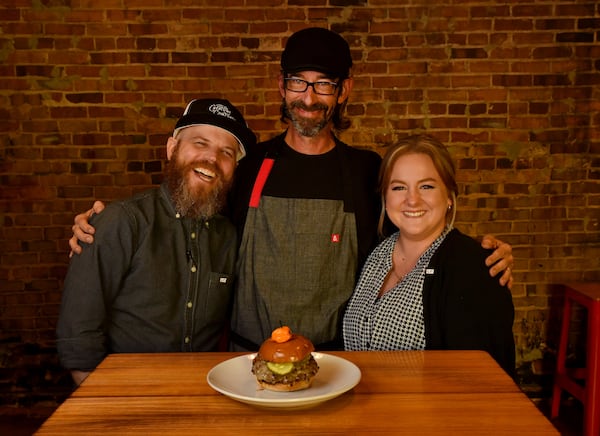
(159, 275)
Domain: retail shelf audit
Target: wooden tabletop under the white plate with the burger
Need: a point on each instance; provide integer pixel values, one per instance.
(409, 392)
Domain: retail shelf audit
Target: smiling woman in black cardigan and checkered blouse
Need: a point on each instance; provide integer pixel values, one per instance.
(426, 286)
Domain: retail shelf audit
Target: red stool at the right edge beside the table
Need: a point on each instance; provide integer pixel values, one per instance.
(587, 295)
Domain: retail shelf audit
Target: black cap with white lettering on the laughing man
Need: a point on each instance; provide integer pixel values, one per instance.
(220, 113)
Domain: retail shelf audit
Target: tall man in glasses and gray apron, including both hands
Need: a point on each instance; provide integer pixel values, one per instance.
(305, 205)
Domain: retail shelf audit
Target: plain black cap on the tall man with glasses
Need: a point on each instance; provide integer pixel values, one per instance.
(317, 49)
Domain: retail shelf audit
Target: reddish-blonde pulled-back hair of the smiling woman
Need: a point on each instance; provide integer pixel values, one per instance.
(442, 161)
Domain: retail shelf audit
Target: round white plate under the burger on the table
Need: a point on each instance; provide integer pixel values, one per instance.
(235, 379)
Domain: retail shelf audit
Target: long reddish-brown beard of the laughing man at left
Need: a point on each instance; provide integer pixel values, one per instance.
(200, 201)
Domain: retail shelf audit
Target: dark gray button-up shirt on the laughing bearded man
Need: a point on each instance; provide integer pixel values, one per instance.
(152, 281)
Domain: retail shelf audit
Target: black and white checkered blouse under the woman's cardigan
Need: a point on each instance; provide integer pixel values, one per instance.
(395, 320)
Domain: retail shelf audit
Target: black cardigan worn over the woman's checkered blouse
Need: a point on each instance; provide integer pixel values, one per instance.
(464, 307)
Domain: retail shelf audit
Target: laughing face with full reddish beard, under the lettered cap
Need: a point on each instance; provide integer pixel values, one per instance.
(202, 160)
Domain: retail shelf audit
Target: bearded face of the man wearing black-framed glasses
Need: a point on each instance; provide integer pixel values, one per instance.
(308, 111)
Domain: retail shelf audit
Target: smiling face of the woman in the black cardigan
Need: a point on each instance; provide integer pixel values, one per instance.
(416, 199)
